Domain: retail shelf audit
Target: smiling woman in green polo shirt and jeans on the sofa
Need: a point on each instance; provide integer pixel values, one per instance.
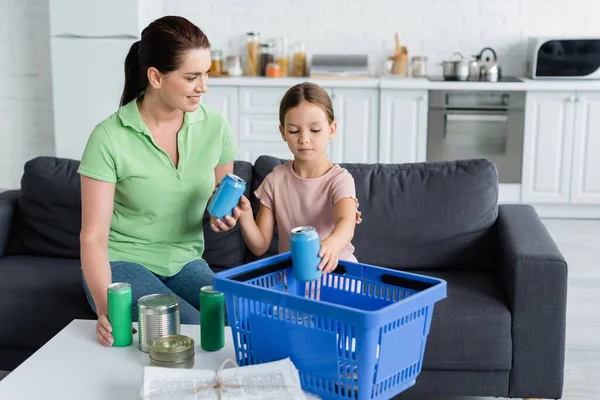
(147, 173)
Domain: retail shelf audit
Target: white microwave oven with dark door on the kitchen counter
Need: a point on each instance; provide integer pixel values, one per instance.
(563, 58)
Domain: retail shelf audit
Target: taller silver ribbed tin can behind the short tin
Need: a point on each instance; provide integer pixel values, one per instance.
(158, 316)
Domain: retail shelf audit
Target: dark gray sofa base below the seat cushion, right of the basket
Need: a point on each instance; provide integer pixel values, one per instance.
(458, 383)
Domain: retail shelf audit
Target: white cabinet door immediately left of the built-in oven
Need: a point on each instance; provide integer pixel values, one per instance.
(403, 126)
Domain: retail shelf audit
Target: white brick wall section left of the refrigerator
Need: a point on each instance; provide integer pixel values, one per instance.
(26, 124)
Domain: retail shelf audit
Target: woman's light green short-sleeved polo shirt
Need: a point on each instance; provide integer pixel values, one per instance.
(158, 209)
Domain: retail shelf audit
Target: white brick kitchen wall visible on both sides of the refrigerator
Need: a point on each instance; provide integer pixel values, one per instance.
(435, 28)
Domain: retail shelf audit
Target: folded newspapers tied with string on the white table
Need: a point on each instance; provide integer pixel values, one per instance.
(278, 380)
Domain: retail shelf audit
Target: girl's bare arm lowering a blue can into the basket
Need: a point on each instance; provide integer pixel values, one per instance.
(344, 217)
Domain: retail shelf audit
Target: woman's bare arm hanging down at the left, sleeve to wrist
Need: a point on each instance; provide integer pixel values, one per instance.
(97, 199)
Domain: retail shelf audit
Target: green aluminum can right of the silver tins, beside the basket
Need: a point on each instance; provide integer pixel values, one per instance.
(212, 319)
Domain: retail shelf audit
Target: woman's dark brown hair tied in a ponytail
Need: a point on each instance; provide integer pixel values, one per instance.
(162, 46)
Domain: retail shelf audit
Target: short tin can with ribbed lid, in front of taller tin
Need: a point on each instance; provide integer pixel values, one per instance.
(173, 351)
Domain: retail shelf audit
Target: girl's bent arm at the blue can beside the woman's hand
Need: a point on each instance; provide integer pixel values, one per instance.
(257, 234)
